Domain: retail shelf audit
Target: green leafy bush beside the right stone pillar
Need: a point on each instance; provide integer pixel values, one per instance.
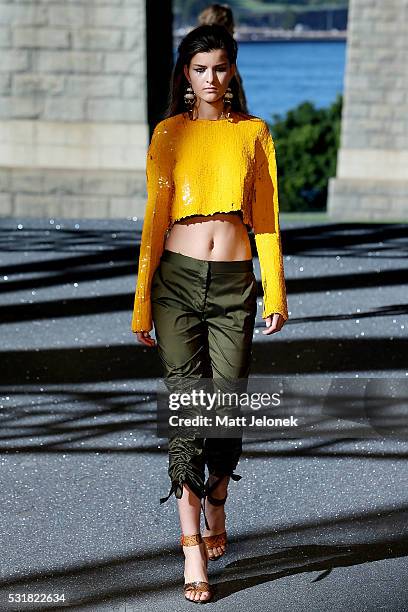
(306, 142)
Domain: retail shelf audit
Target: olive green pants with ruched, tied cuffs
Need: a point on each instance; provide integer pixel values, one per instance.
(204, 316)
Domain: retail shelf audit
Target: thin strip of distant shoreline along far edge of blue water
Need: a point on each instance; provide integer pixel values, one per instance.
(251, 34)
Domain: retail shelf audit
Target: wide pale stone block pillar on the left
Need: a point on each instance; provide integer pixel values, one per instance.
(73, 108)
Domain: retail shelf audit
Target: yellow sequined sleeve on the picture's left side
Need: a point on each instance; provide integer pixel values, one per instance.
(156, 221)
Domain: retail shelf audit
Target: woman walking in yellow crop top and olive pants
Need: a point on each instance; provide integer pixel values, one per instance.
(211, 175)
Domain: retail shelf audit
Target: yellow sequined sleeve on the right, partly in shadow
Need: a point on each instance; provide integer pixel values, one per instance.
(265, 218)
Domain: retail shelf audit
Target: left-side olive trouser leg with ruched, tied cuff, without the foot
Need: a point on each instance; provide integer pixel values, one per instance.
(182, 343)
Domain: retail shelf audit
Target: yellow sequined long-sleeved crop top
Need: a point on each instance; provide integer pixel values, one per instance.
(206, 166)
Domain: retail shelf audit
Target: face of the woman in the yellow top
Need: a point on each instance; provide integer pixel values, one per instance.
(210, 70)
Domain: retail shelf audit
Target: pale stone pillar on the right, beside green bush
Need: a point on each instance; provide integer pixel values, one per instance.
(372, 164)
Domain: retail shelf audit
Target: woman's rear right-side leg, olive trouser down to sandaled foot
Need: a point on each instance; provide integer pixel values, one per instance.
(231, 320)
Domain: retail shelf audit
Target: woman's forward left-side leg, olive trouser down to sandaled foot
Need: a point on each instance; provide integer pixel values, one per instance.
(183, 350)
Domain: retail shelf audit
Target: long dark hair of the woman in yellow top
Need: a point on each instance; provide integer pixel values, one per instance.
(203, 39)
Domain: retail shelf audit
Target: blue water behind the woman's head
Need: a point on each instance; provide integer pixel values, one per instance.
(280, 75)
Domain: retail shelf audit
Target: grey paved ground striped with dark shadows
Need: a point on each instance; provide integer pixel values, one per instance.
(315, 524)
